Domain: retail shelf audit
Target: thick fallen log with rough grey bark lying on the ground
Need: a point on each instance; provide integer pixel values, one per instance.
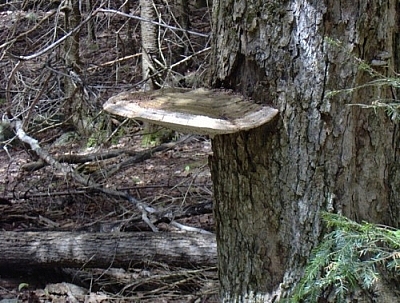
(103, 250)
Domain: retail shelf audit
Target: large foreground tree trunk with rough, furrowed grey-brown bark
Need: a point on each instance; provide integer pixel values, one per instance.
(271, 183)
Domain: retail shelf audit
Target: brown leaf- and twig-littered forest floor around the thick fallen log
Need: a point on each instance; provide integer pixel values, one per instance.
(45, 200)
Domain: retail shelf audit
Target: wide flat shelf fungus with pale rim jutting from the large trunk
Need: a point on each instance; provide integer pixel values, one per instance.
(199, 111)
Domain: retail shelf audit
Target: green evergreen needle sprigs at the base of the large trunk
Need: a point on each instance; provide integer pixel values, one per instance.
(349, 258)
